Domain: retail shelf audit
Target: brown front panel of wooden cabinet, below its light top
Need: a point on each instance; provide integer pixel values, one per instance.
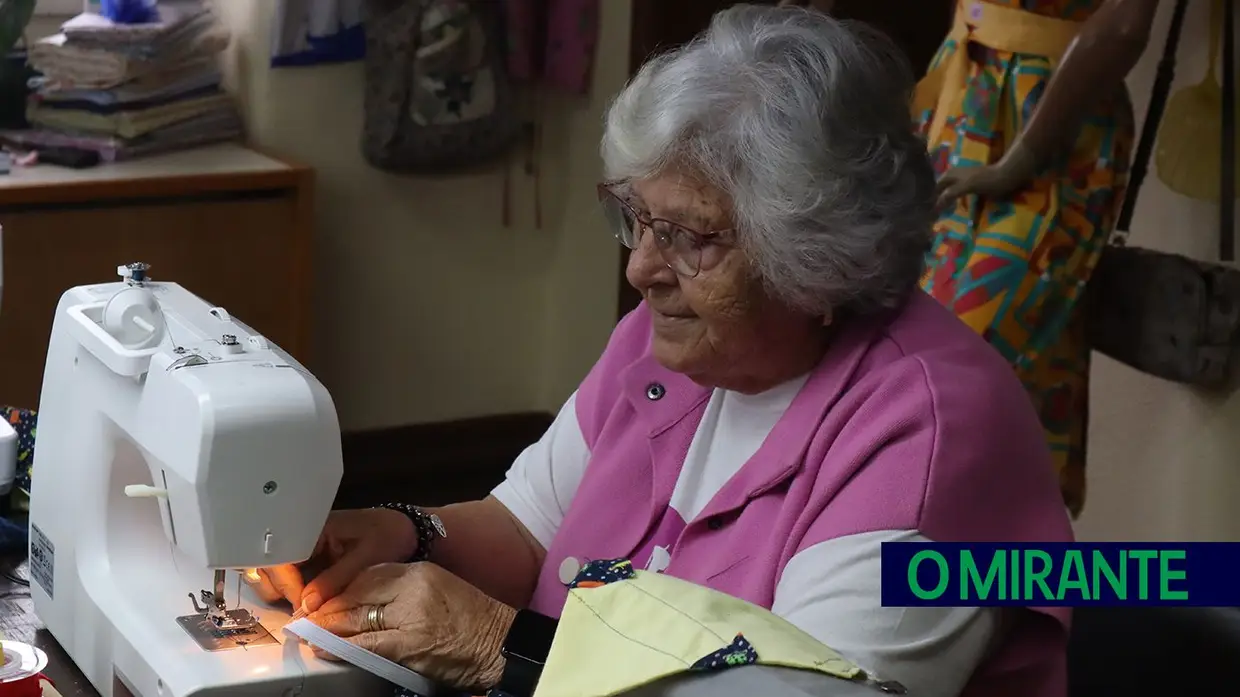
(242, 255)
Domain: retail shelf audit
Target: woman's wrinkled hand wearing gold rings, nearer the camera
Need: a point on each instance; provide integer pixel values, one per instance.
(431, 622)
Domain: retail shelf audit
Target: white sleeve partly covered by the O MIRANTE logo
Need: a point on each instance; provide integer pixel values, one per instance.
(831, 591)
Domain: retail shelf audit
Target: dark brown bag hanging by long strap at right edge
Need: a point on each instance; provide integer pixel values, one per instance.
(1166, 314)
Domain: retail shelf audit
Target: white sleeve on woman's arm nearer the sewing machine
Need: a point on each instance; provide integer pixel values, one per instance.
(544, 479)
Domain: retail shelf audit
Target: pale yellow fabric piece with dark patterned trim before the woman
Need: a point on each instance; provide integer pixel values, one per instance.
(632, 633)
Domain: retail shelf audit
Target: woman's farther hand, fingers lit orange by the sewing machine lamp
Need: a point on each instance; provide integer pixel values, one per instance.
(352, 543)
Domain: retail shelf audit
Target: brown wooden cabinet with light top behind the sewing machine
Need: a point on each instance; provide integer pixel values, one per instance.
(231, 225)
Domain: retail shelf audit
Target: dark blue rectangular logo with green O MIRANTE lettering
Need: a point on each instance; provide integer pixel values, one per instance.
(1061, 575)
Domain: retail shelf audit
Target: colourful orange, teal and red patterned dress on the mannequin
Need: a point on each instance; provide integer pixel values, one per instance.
(1015, 270)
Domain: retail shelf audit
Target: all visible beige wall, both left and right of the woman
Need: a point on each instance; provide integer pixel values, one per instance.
(430, 309)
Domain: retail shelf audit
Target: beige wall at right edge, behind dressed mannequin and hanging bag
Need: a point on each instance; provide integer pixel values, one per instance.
(1165, 462)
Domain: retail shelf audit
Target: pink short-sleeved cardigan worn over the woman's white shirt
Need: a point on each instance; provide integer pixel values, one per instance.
(911, 422)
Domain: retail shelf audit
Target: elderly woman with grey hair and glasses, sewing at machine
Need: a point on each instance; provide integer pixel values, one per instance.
(783, 402)
